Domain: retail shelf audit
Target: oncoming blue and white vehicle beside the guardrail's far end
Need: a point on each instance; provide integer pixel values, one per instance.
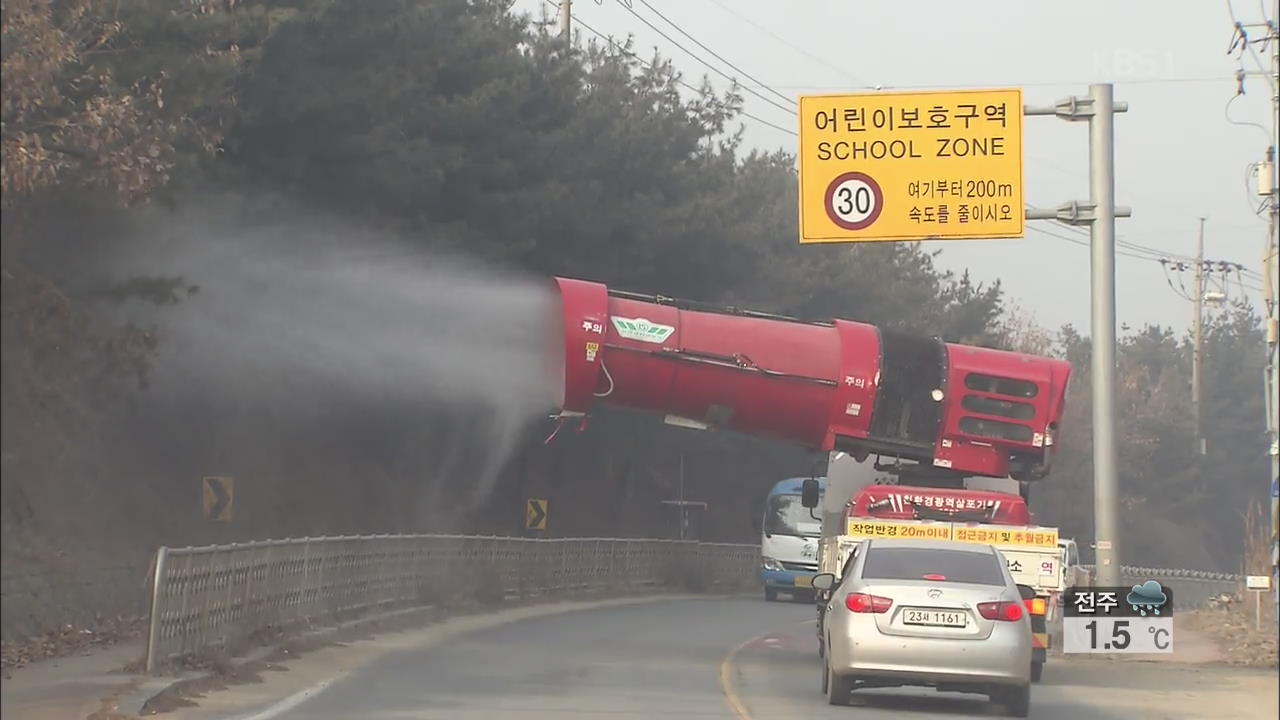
(789, 541)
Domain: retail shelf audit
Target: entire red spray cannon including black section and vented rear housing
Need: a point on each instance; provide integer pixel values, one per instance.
(829, 386)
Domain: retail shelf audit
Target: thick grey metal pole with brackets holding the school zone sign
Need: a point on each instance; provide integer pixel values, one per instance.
(1100, 213)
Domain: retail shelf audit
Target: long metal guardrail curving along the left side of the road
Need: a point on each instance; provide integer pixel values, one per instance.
(220, 596)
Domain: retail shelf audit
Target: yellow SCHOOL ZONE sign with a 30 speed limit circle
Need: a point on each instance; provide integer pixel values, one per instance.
(912, 166)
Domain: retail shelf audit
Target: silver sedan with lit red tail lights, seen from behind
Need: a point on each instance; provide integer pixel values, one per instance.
(927, 613)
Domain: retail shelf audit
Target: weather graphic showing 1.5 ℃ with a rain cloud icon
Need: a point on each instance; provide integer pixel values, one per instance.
(1136, 619)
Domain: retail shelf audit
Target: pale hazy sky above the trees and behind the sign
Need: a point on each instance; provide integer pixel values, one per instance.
(1178, 157)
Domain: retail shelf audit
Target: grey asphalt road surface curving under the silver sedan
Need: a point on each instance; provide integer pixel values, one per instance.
(724, 659)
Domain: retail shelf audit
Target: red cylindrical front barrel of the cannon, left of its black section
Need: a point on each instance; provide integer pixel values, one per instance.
(744, 373)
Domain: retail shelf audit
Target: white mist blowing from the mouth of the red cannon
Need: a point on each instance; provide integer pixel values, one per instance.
(295, 313)
